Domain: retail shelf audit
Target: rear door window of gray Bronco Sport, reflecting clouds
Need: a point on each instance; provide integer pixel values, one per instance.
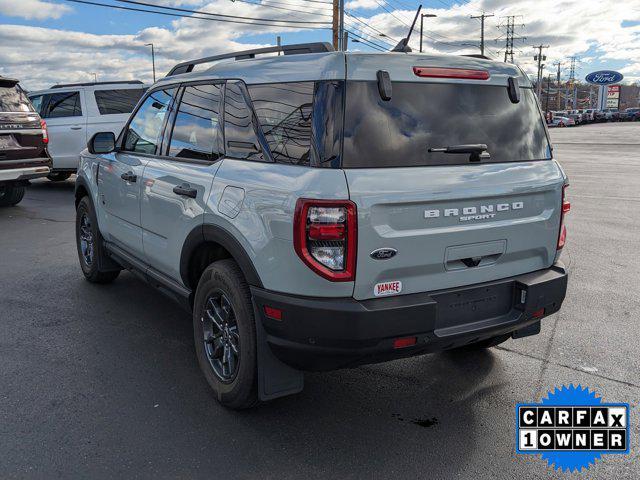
(196, 130)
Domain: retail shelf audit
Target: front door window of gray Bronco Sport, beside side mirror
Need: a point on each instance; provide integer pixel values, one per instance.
(143, 132)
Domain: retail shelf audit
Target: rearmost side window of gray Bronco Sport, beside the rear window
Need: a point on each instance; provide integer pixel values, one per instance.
(284, 113)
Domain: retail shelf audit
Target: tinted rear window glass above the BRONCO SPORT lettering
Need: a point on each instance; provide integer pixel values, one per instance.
(399, 132)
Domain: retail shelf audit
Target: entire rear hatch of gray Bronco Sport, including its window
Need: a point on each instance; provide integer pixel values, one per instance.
(446, 220)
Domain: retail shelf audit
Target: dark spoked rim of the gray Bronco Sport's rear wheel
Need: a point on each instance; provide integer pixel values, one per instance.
(221, 336)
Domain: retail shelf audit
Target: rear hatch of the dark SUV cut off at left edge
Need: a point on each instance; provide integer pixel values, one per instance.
(21, 134)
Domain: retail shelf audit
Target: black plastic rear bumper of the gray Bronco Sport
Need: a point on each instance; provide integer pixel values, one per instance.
(331, 333)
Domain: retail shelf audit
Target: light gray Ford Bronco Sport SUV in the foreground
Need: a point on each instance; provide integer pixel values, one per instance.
(319, 210)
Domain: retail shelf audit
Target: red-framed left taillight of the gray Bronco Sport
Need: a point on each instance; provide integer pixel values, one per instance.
(325, 237)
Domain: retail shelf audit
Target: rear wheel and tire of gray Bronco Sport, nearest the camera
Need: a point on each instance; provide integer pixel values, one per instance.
(225, 334)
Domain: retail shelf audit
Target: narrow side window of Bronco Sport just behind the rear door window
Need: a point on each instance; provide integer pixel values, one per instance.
(239, 130)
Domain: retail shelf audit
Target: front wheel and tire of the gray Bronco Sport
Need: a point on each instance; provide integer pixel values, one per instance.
(91, 252)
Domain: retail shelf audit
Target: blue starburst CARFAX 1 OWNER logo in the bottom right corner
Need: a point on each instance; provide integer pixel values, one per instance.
(572, 428)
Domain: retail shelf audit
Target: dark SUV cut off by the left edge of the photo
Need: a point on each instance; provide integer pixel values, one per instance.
(23, 143)
